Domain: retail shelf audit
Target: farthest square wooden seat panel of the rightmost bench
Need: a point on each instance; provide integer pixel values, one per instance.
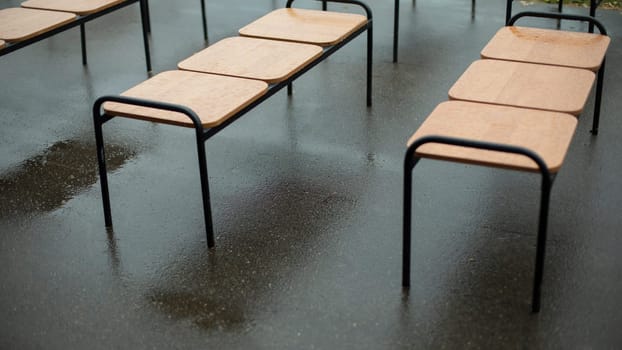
(547, 46)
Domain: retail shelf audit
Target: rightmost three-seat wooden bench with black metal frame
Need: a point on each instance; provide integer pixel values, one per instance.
(516, 110)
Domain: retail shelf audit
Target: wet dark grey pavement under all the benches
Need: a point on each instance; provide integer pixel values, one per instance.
(306, 195)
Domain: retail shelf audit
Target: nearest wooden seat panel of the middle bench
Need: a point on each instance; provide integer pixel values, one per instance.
(214, 98)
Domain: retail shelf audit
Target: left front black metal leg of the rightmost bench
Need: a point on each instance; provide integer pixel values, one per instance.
(409, 163)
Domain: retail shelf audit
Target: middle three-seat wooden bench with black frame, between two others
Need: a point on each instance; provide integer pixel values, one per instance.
(218, 85)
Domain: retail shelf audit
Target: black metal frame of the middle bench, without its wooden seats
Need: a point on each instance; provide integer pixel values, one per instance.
(203, 134)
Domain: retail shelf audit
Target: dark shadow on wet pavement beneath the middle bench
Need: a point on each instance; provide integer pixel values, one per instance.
(267, 237)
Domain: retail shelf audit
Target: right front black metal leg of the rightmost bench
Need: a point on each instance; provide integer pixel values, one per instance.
(547, 183)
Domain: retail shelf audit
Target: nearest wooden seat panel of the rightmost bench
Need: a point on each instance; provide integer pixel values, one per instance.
(548, 134)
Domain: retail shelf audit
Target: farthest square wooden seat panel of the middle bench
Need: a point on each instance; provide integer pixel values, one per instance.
(322, 28)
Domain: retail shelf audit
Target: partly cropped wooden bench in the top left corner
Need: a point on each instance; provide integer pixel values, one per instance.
(40, 19)
